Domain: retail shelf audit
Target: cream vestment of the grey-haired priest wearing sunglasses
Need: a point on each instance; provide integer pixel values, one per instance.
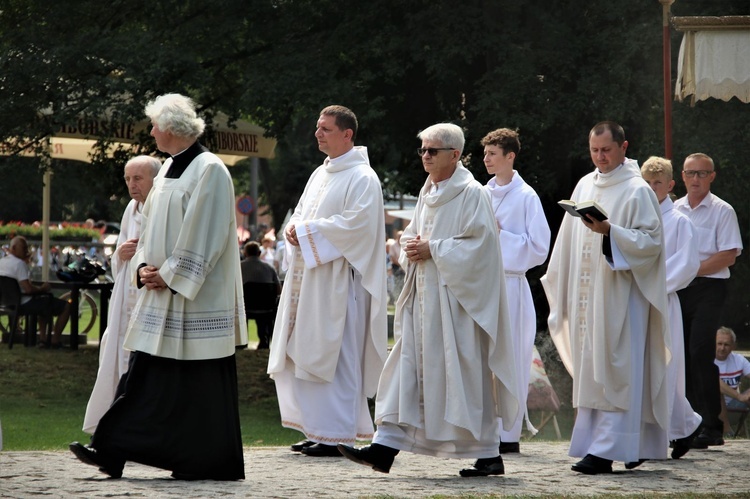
(452, 372)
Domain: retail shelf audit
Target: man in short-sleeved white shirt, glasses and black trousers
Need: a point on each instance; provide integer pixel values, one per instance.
(719, 244)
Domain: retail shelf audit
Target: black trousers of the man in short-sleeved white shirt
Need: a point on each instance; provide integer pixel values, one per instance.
(702, 303)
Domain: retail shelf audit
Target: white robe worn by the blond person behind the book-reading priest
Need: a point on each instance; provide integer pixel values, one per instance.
(682, 260)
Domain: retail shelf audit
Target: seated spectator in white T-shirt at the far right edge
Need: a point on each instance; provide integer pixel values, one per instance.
(732, 368)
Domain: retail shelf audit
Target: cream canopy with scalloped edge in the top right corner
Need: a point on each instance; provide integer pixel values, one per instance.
(714, 59)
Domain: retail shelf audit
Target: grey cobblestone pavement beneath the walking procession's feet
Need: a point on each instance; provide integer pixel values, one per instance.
(542, 468)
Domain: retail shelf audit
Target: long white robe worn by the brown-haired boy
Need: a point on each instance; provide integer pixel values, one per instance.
(524, 241)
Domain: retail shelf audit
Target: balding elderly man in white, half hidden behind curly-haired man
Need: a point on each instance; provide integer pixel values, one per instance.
(113, 358)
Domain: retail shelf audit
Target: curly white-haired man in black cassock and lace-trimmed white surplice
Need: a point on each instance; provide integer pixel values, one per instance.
(176, 408)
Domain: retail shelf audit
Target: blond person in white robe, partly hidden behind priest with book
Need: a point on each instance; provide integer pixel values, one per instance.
(682, 262)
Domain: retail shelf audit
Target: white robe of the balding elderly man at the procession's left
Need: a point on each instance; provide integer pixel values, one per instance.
(113, 358)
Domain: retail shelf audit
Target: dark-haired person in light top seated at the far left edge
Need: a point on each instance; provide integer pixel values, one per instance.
(15, 265)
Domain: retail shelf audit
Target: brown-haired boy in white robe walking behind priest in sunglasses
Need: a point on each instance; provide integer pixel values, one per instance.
(524, 242)
